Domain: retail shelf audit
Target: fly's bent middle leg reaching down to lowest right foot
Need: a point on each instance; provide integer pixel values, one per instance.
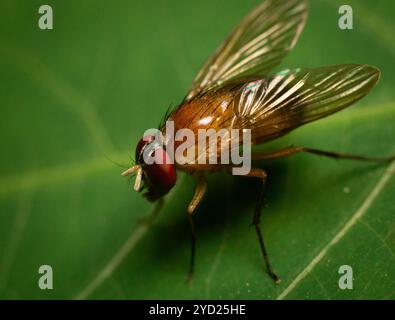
(261, 175)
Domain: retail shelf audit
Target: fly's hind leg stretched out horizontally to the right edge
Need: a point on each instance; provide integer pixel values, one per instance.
(294, 150)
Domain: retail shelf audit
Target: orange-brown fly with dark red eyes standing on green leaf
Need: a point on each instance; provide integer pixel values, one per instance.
(234, 90)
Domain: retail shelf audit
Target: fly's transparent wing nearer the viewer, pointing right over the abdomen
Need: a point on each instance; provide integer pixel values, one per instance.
(274, 106)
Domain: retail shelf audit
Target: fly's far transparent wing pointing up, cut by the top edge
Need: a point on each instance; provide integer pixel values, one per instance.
(258, 44)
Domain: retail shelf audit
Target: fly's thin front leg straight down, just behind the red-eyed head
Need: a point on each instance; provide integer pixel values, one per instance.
(197, 197)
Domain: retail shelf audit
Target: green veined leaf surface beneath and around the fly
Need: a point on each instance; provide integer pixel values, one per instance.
(78, 97)
